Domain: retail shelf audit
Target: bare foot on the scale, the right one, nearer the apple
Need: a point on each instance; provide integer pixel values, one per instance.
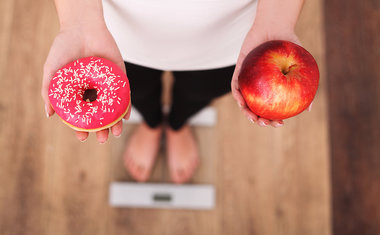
(183, 157)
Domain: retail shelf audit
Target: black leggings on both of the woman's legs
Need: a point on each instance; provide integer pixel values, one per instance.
(192, 91)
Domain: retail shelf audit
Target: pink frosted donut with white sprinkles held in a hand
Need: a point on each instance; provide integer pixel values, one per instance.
(90, 94)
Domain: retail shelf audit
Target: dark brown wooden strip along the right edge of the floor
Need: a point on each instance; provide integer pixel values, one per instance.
(353, 54)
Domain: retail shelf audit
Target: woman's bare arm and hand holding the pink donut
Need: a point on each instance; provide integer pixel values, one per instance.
(83, 33)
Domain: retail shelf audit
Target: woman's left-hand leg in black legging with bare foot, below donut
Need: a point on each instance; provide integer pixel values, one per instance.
(143, 145)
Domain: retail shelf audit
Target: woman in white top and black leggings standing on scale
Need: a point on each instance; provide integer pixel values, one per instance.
(202, 41)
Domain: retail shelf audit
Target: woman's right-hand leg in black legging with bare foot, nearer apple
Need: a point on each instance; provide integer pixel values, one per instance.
(192, 91)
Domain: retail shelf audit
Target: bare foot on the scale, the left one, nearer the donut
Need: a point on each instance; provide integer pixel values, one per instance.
(141, 151)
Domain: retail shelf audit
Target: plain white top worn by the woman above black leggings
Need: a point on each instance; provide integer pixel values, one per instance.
(180, 34)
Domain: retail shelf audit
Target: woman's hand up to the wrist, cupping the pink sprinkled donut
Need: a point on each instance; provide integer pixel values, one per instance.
(78, 40)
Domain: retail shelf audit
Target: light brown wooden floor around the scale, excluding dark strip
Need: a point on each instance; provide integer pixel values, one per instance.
(268, 181)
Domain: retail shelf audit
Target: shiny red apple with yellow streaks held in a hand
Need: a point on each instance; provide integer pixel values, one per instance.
(278, 80)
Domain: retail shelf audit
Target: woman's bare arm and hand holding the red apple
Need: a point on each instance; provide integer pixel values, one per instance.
(275, 19)
